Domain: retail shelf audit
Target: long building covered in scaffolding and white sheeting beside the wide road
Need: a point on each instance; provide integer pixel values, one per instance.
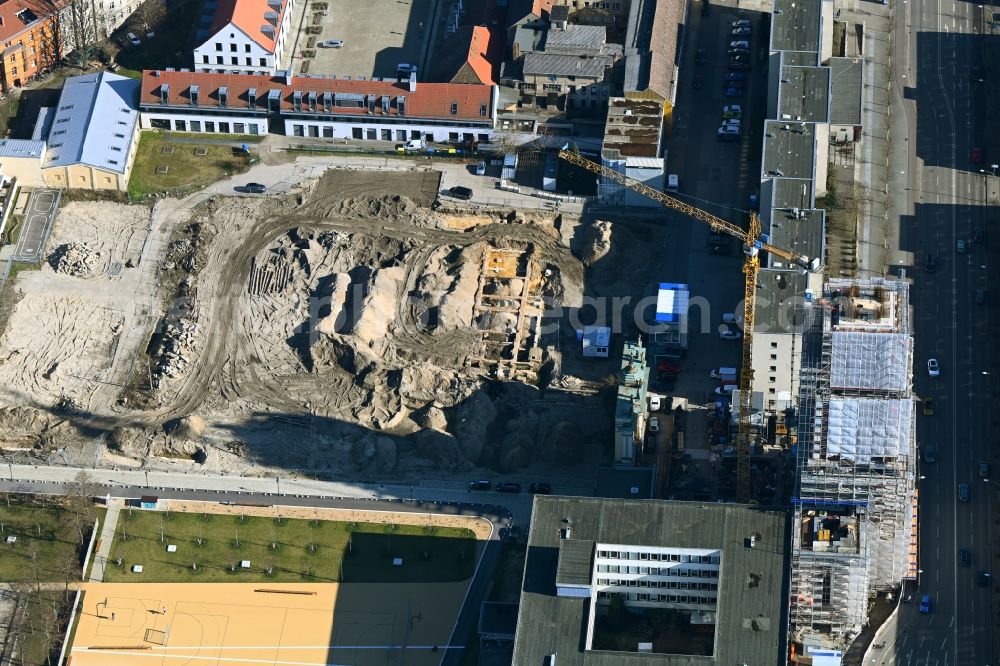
(856, 461)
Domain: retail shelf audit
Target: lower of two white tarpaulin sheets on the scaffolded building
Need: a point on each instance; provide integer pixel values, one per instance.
(864, 428)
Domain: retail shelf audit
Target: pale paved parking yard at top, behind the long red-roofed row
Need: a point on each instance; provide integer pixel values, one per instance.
(376, 36)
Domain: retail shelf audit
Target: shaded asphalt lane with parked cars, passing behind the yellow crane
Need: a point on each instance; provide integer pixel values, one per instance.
(719, 177)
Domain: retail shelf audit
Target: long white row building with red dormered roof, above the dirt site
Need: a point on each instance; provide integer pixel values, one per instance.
(320, 107)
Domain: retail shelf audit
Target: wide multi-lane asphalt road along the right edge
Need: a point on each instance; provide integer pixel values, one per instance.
(936, 53)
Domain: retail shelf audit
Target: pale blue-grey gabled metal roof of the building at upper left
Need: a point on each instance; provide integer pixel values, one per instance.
(94, 122)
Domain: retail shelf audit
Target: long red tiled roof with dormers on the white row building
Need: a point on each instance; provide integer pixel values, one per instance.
(429, 100)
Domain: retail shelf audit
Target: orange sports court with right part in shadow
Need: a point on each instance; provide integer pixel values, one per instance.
(259, 623)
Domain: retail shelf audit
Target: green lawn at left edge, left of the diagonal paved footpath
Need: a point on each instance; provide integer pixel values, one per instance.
(48, 541)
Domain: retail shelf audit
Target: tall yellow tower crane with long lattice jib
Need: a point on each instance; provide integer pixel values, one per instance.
(753, 244)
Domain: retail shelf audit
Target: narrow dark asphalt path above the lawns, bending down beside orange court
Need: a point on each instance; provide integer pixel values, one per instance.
(469, 616)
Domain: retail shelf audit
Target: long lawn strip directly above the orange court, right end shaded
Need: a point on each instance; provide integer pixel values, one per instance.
(293, 550)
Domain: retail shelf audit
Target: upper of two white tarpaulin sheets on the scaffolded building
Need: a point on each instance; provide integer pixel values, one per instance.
(870, 361)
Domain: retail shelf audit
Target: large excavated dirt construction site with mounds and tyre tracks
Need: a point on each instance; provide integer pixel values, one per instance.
(331, 332)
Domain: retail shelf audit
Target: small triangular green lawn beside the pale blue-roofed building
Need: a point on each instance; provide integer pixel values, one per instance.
(184, 167)
